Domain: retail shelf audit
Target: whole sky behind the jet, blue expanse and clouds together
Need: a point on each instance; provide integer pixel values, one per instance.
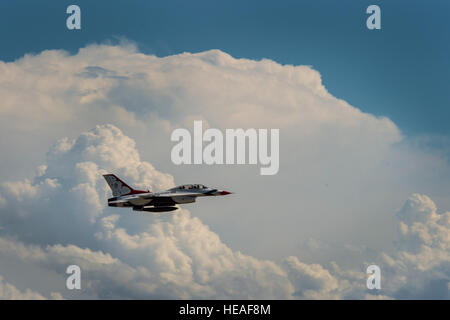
(364, 149)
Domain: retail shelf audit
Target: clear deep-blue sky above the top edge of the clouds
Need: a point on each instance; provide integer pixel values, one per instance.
(401, 71)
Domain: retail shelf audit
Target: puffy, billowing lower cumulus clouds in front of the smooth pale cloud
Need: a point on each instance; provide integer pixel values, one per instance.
(59, 218)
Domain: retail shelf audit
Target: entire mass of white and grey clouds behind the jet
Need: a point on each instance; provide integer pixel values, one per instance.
(343, 174)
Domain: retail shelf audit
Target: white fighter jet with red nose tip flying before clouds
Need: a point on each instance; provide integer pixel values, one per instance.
(163, 201)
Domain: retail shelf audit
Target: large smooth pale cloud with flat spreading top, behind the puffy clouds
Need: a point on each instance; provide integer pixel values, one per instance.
(335, 160)
